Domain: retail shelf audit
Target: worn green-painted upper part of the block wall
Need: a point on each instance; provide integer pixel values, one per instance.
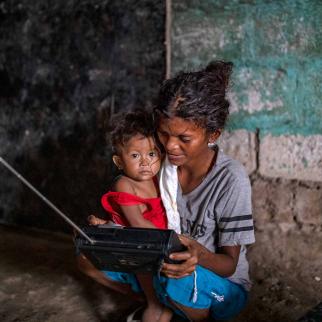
(276, 47)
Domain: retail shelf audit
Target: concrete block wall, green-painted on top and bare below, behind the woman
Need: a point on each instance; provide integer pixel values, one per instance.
(275, 126)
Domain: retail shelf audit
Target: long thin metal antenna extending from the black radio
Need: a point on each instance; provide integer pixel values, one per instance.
(42, 197)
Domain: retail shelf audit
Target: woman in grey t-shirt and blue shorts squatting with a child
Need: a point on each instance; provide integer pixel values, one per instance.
(213, 200)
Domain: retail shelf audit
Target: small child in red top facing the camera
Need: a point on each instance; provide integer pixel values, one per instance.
(134, 199)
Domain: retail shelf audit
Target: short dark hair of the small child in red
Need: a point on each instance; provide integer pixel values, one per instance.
(123, 126)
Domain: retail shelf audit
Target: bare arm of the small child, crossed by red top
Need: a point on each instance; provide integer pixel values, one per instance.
(133, 214)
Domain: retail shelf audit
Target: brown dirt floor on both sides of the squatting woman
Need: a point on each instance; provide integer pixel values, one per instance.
(39, 281)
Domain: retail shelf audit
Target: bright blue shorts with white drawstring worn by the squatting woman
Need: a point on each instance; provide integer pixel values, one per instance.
(200, 290)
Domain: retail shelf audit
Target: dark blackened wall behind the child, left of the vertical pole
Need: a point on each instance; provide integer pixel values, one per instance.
(64, 67)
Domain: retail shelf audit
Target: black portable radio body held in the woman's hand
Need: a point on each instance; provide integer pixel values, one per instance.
(128, 249)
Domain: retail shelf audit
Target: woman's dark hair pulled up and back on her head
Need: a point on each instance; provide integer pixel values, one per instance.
(198, 96)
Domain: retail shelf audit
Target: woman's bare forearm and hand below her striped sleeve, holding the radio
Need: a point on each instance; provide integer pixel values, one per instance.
(223, 263)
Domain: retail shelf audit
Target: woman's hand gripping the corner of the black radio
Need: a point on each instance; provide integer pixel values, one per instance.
(188, 257)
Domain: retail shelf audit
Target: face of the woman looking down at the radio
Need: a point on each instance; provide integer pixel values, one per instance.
(183, 140)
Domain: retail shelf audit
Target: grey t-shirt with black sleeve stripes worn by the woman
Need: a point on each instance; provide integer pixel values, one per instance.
(219, 213)
